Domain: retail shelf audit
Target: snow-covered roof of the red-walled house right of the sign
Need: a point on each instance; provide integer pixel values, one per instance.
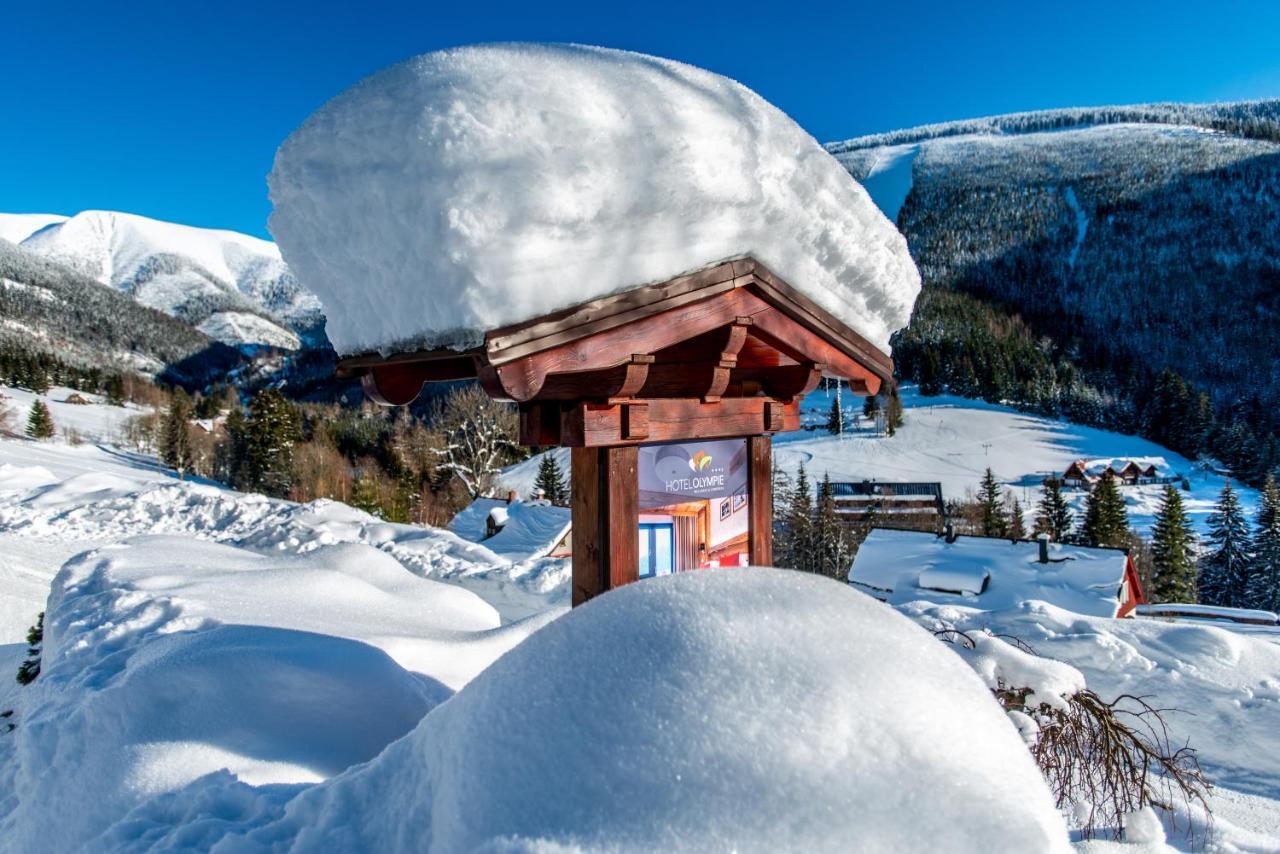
(906, 567)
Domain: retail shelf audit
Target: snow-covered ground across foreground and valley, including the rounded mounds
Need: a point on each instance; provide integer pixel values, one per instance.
(213, 657)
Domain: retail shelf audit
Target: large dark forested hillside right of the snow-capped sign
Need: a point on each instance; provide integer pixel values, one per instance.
(1126, 275)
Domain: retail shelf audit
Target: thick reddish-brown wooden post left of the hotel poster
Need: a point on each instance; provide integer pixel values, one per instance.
(606, 518)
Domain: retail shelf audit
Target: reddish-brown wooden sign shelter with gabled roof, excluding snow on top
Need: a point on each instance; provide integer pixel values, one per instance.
(726, 353)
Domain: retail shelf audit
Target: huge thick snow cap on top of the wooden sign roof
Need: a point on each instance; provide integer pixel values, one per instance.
(483, 186)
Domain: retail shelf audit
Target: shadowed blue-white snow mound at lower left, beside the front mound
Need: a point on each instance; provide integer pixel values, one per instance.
(170, 659)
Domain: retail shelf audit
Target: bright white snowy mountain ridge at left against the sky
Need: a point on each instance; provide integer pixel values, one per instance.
(234, 287)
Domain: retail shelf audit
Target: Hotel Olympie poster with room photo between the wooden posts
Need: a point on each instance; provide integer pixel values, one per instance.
(693, 506)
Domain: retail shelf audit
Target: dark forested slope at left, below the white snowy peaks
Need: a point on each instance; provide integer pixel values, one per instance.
(48, 308)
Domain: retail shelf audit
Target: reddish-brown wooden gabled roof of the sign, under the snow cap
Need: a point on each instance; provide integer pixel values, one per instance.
(732, 331)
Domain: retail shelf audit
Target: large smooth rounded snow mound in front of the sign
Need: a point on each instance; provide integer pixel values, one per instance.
(737, 710)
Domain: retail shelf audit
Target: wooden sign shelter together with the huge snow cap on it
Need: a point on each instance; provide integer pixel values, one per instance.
(633, 250)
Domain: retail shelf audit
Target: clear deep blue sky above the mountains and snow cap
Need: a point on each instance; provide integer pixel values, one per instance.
(175, 109)
